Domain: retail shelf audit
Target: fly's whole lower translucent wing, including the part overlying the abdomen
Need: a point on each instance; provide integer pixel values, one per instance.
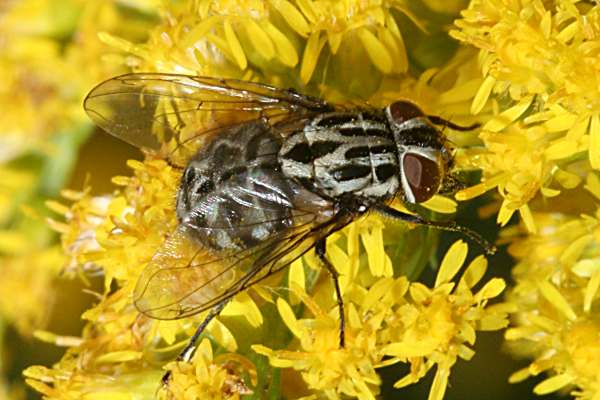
(270, 222)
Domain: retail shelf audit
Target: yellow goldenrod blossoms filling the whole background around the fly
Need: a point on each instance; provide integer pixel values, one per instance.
(81, 214)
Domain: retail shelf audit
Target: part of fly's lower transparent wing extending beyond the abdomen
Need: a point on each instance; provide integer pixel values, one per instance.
(183, 279)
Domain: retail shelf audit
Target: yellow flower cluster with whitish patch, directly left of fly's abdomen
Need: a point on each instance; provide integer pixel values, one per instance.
(119, 233)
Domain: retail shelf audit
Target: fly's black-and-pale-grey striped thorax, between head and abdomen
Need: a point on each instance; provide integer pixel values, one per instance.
(339, 154)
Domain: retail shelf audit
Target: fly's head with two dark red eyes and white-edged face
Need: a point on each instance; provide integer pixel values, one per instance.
(425, 156)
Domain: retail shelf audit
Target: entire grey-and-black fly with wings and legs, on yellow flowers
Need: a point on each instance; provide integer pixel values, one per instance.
(267, 175)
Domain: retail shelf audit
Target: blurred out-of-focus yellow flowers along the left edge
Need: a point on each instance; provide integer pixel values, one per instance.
(49, 56)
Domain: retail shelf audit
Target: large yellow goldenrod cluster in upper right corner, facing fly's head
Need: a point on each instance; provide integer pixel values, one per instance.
(538, 71)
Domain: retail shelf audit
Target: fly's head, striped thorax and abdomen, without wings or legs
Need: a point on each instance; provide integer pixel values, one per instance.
(244, 185)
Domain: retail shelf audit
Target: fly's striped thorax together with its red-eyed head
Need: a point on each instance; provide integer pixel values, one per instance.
(371, 155)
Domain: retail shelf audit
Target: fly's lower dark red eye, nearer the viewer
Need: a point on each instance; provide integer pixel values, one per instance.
(423, 176)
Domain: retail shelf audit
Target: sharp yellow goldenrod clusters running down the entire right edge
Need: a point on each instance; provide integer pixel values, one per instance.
(539, 68)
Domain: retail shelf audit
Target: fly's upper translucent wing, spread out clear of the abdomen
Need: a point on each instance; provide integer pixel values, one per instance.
(154, 111)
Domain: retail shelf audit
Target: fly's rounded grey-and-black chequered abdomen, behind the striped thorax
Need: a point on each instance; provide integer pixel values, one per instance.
(233, 194)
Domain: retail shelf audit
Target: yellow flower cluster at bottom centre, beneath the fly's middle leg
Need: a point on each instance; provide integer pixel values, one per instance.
(392, 321)
